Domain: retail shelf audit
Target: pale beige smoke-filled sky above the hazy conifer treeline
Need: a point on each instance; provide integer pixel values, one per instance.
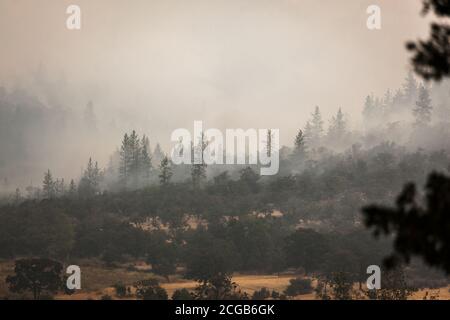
(159, 65)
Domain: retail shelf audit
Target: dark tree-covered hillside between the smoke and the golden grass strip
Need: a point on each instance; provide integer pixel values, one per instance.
(309, 220)
